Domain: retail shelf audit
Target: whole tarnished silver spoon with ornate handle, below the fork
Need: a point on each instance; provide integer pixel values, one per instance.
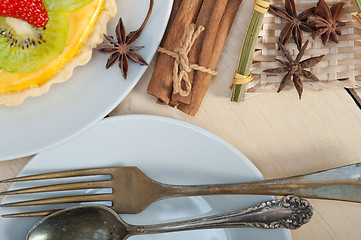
(102, 223)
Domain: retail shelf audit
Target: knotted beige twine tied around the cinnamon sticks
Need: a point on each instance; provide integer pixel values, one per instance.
(181, 66)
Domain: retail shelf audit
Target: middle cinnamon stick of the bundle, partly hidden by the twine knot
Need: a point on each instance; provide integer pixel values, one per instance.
(203, 19)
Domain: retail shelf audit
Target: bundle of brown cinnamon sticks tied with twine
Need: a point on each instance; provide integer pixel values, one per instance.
(216, 16)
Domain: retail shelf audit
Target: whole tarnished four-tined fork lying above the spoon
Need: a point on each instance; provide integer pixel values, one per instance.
(133, 191)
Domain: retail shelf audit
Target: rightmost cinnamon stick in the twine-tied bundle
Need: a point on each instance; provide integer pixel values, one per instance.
(209, 58)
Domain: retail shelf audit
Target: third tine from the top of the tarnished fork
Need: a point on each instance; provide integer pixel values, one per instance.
(60, 200)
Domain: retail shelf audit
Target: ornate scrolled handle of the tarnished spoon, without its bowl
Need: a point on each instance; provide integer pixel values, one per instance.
(289, 212)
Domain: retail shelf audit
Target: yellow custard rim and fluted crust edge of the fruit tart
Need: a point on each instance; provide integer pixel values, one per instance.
(86, 28)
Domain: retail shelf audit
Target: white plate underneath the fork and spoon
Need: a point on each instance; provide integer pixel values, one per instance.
(166, 150)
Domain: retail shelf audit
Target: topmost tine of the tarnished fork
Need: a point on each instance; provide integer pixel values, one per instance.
(62, 174)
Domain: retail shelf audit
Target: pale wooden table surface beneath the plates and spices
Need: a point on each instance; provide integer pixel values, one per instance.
(280, 134)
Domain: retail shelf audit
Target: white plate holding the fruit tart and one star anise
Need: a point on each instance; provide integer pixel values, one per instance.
(71, 107)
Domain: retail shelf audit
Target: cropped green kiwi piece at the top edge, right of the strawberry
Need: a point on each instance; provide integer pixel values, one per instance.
(64, 5)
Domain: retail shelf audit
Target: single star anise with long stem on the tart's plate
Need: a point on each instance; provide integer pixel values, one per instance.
(121, 48)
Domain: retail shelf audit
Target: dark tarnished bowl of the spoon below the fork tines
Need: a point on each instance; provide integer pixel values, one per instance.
(80, 223)
